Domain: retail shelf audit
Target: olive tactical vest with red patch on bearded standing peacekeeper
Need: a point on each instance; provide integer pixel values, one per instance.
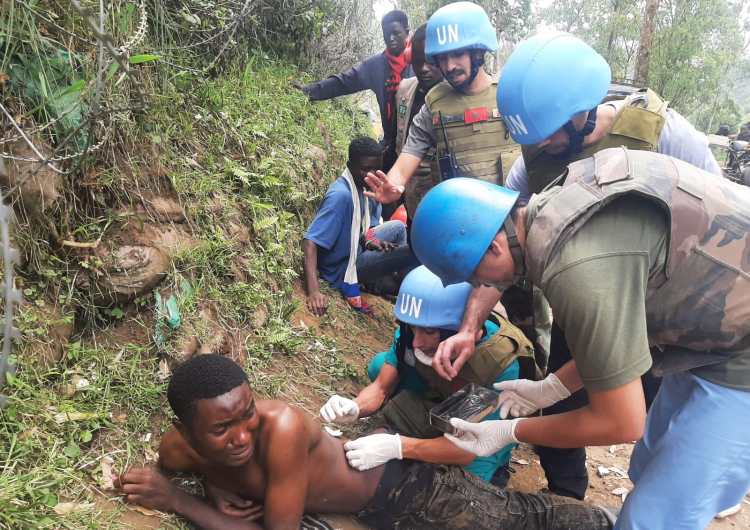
(476, 133)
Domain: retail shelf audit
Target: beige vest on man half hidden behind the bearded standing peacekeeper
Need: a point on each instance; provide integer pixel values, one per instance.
(427, 174)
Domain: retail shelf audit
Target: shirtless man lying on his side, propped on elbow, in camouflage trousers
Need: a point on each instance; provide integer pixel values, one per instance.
(270, 453)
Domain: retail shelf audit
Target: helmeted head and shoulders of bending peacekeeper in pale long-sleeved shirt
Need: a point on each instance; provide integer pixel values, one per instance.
(572, 122)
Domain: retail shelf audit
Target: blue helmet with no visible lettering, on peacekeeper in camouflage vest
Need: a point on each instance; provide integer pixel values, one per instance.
(455, 224)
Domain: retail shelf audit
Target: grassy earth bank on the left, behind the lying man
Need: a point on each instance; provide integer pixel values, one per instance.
(217, 128)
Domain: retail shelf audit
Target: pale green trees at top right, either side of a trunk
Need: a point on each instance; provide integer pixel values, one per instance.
(697, 56)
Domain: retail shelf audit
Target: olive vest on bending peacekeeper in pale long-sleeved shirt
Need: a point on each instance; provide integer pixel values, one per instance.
(637, 125)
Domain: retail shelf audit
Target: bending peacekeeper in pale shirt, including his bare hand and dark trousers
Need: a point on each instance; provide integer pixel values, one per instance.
(557, 127)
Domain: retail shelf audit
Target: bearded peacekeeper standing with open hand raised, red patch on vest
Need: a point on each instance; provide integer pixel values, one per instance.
(460, 115)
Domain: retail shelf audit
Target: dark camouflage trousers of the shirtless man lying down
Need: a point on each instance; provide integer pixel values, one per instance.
(415, 495)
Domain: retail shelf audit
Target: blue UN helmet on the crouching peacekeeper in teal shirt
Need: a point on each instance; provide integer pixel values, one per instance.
(423, 301)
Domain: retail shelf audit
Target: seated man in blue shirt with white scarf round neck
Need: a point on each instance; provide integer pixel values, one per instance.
(349, 246)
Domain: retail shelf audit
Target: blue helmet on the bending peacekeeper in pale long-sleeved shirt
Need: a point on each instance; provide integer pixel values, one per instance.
(533, 110)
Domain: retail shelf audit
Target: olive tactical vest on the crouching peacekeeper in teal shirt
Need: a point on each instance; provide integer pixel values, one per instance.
(490, 359)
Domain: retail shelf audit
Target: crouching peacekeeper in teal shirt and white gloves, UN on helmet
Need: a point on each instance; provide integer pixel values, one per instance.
(404, 387)
